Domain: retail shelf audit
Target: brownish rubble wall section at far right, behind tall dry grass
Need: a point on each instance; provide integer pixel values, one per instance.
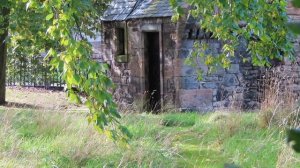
(284, 77)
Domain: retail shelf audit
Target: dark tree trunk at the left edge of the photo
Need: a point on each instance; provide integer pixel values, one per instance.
(4, 12)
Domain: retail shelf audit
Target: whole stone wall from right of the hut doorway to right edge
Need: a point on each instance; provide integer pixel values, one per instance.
(243, 86)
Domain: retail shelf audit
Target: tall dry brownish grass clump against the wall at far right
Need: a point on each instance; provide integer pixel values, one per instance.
(280, 106)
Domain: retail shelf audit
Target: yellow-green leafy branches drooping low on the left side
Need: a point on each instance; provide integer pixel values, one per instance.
(59, 28)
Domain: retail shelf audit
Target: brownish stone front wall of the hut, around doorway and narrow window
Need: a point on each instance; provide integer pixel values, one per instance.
(130, 76)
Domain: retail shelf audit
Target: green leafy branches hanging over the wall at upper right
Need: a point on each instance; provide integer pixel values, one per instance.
(261, 23)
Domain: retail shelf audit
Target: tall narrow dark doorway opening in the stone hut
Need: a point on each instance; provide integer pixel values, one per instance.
(152, 71)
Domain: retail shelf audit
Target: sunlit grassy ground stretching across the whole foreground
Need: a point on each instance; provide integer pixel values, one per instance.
(56, 134)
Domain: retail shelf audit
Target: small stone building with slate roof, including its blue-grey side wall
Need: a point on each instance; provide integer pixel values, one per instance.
(146, 52)
